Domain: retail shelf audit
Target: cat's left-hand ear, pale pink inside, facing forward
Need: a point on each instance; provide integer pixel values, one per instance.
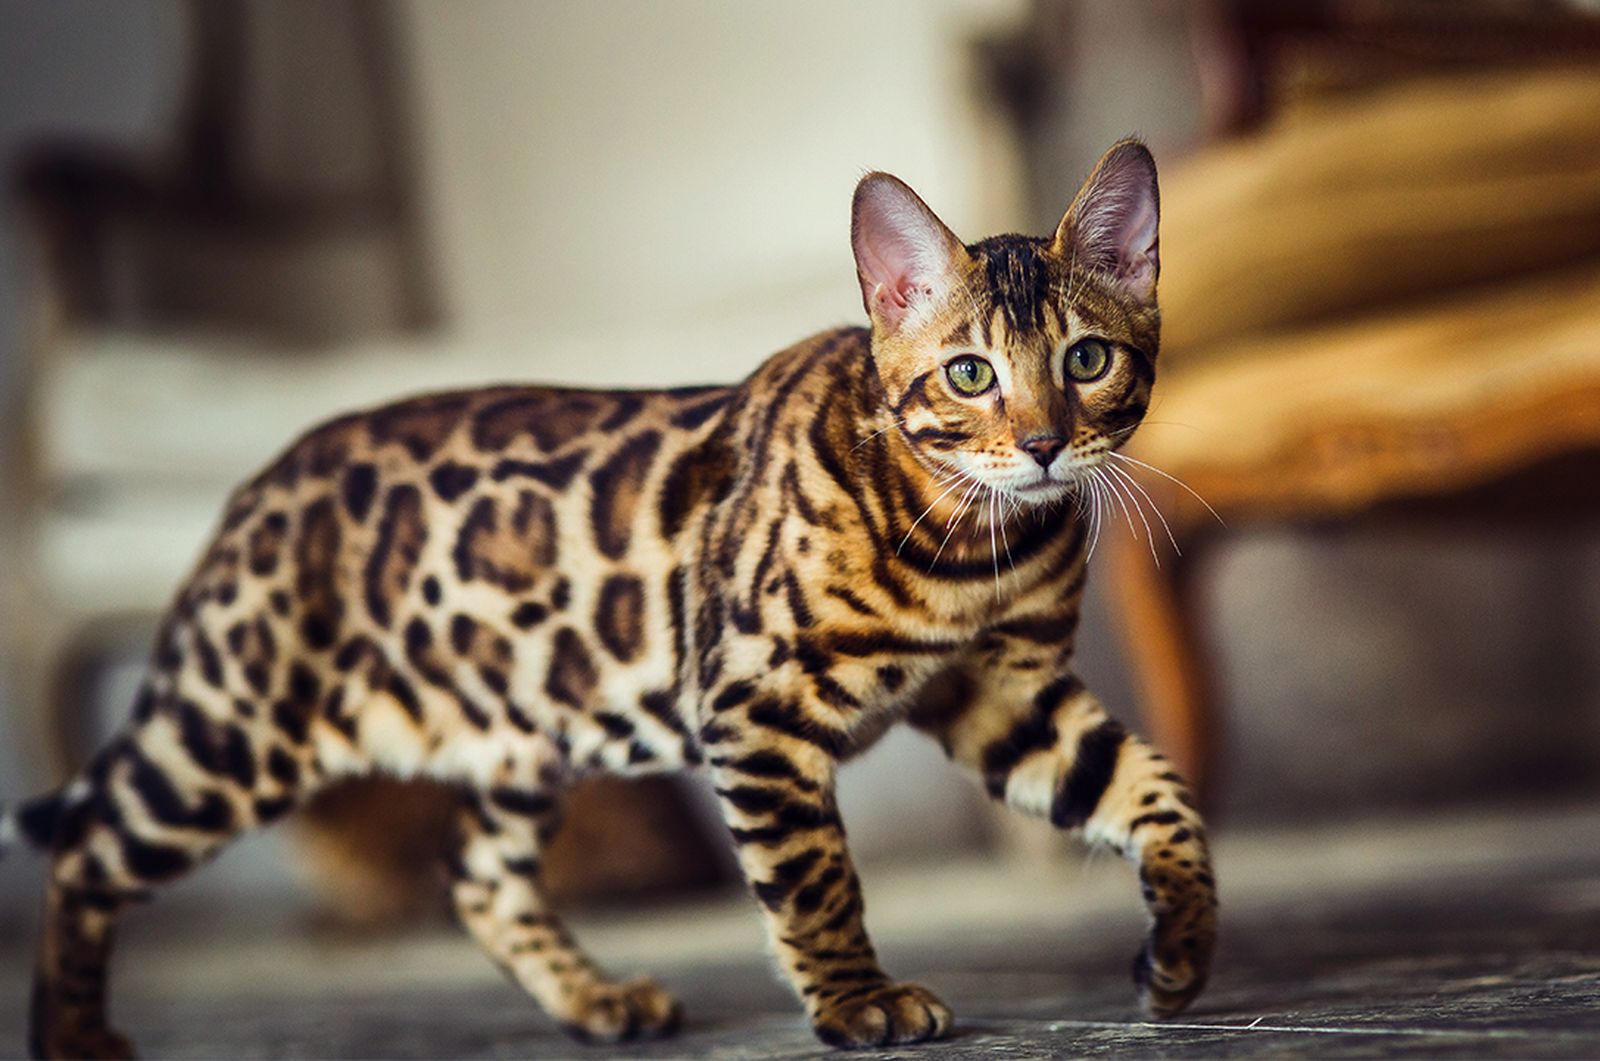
(906, 260)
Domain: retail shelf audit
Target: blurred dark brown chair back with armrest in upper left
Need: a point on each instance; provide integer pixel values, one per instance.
(287, 204)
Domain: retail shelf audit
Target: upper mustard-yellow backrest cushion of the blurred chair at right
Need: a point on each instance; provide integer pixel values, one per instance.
(1380, 198)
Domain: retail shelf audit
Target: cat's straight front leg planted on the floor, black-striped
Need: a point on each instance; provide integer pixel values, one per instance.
(774, 759)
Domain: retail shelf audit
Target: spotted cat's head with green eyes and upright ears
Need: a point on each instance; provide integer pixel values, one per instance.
(1017, 361)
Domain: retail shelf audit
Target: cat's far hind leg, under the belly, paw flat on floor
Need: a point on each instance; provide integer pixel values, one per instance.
(503, 905)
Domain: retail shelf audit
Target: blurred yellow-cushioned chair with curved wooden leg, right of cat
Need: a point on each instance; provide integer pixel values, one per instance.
(1383, 303)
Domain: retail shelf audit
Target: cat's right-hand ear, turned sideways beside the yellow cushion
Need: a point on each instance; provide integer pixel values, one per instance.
(1114, 222)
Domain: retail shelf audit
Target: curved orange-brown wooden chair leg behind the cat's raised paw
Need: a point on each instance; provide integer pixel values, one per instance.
(1158, 617)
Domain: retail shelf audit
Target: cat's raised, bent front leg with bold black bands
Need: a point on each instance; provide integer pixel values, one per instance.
(1049, 750)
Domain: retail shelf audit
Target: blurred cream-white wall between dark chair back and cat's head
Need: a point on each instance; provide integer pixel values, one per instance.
(663, 166)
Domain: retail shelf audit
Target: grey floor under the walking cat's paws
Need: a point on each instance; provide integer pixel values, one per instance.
(1465, 935)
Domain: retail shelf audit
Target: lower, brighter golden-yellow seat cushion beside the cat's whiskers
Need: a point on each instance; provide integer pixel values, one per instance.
(1412, 402)
